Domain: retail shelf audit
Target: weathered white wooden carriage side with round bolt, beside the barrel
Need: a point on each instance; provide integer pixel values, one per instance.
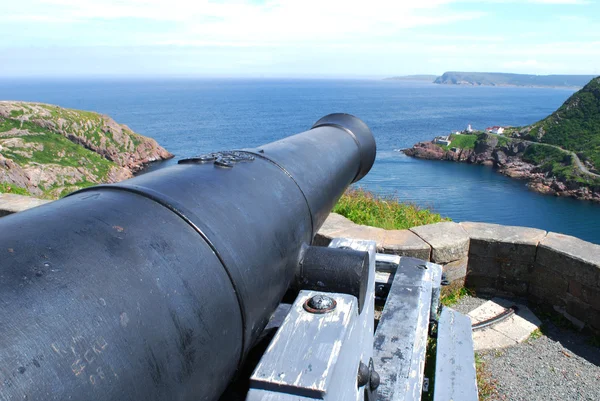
(317, 356)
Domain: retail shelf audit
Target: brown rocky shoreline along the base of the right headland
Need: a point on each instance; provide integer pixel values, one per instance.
(508, 160)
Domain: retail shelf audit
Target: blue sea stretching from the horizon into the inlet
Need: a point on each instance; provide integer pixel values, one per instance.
(190, 117)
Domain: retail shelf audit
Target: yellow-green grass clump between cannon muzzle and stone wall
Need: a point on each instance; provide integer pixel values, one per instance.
(363, 207)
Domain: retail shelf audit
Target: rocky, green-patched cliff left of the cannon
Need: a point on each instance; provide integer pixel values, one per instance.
(48, 151)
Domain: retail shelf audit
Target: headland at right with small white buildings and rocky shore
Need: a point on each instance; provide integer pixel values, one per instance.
(558, 155)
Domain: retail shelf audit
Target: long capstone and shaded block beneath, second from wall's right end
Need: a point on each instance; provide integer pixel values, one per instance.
(503, 241)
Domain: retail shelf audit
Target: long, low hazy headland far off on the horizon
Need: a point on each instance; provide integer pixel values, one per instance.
(501, 79)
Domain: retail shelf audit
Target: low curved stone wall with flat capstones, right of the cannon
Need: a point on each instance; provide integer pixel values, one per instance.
(552, 270)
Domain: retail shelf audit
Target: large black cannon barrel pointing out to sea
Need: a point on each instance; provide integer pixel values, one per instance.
(156, 288)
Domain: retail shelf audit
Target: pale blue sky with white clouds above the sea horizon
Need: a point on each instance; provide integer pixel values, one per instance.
(296, 38)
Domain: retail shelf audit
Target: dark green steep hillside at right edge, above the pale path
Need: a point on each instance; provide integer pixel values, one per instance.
(575, 126)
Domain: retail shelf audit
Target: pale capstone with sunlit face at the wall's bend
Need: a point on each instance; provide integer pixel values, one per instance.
(448, 241)
